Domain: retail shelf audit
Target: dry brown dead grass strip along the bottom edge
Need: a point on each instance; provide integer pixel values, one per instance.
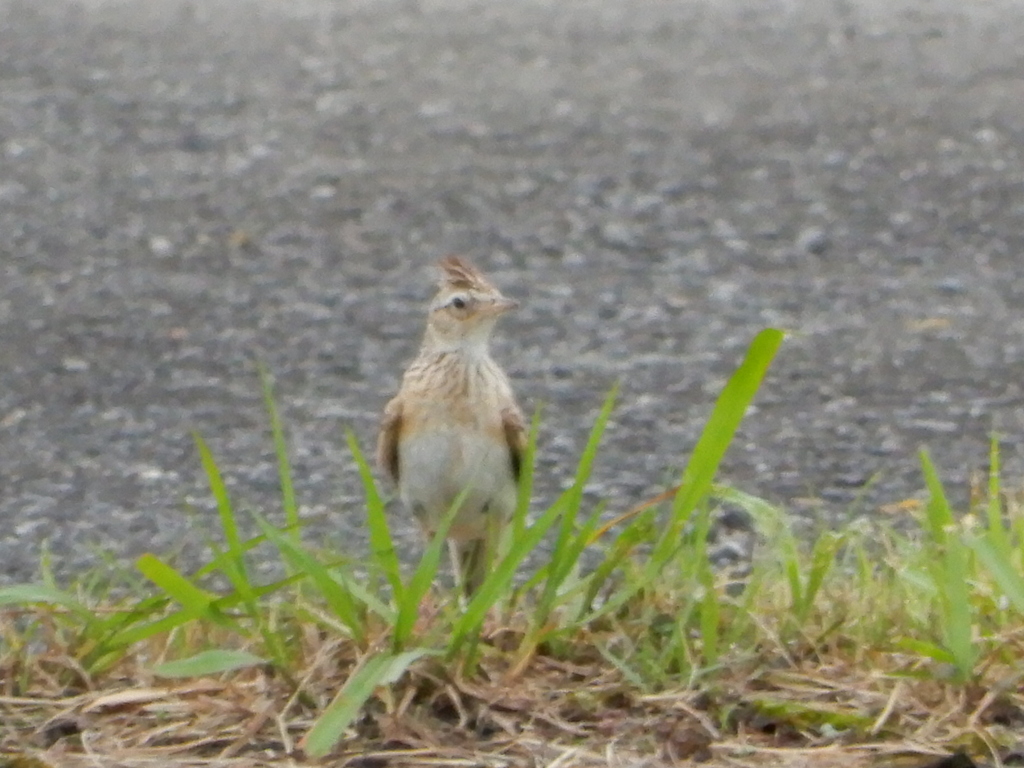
(554, 713)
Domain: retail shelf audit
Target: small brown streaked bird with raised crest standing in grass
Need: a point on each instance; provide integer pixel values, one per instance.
(455, 425)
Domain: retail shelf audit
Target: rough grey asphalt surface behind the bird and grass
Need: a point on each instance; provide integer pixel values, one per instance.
(188, 188)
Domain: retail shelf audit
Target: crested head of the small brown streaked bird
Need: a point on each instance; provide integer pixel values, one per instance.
(465, 310)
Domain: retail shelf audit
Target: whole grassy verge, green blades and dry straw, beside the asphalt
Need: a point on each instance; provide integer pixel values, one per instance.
(866, 642)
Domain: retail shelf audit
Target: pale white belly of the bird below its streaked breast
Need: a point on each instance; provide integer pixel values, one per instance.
(437, 467)
